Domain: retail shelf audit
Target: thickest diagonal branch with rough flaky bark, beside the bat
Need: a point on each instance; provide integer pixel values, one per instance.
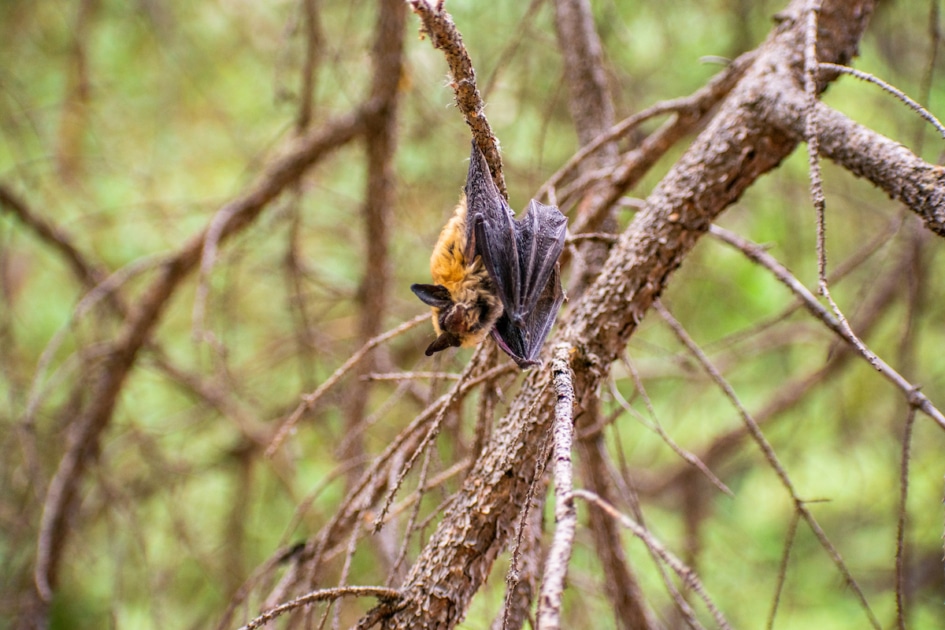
(737, 147)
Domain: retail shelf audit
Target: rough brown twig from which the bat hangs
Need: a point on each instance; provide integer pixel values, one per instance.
(438, 24)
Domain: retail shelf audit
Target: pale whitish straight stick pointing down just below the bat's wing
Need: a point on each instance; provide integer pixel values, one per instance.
(559, 555)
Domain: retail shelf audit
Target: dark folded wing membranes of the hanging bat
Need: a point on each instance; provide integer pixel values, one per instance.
(522, 258)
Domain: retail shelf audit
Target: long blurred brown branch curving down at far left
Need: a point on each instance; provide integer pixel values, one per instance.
(108, 381)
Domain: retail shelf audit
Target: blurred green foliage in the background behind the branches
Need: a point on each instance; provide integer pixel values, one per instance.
(184, 104)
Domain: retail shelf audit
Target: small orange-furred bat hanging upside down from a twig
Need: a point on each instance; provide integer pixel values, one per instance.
(495, 274)
